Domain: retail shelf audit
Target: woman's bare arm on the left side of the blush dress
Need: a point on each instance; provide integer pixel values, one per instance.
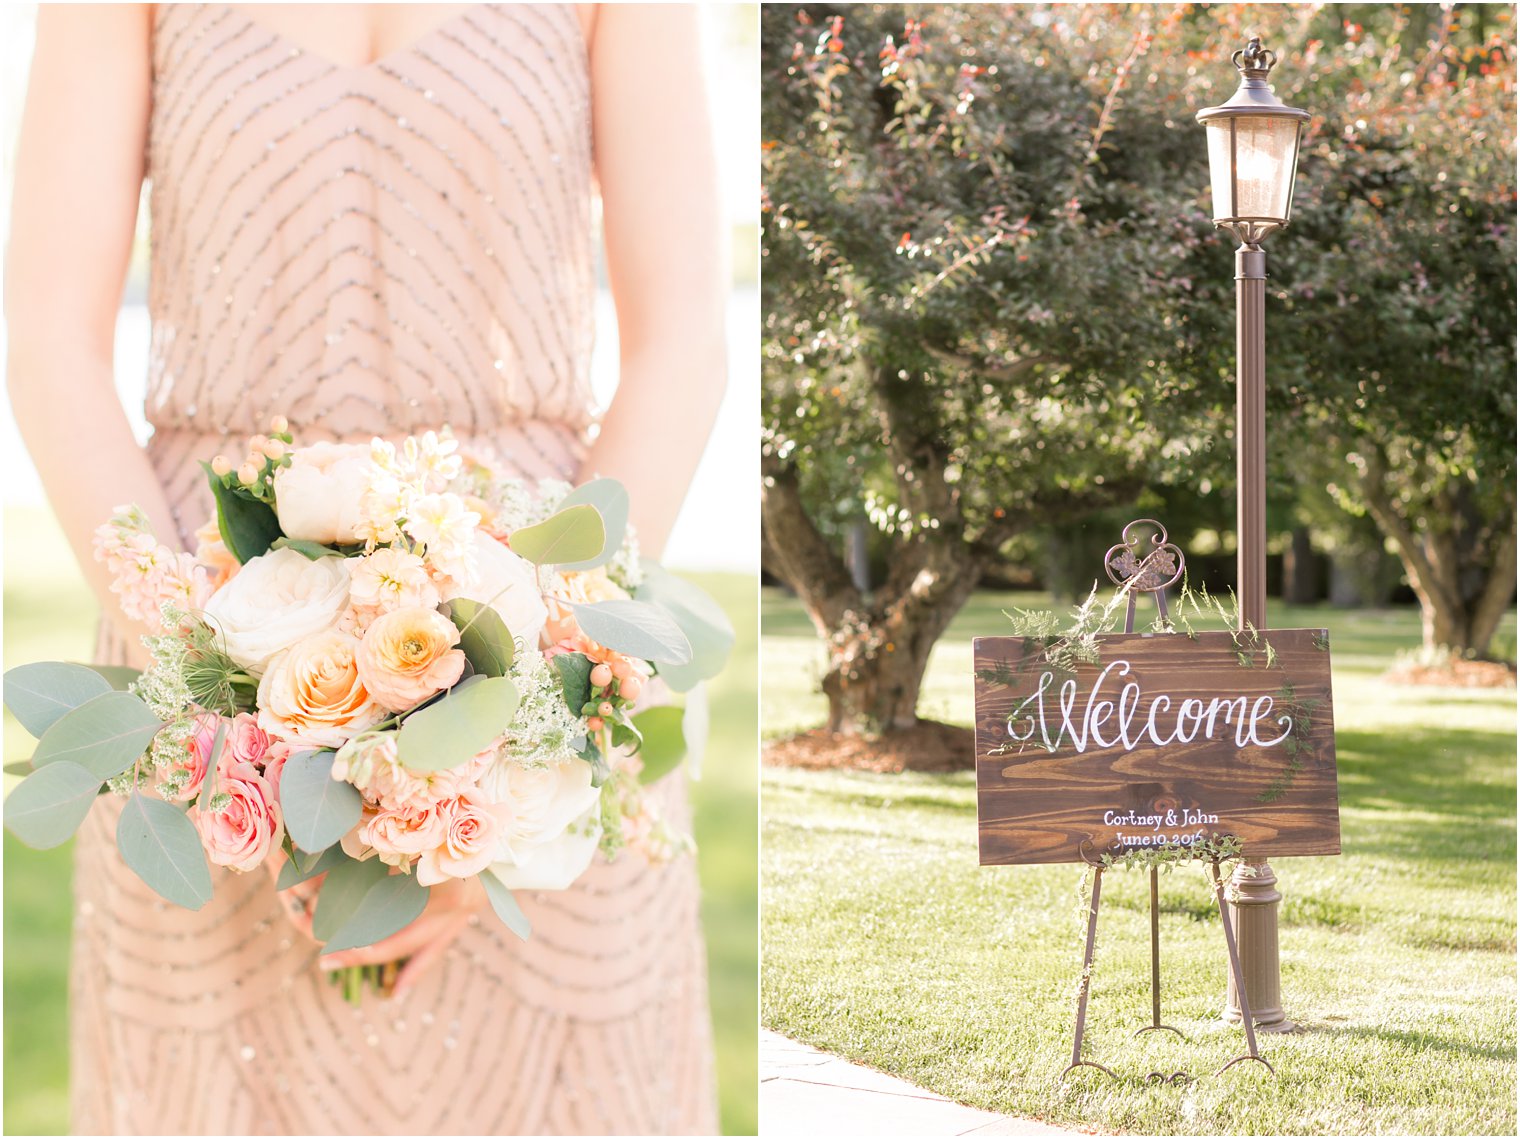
(80, 173)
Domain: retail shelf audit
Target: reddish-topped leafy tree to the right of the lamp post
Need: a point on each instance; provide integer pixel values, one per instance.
(1398, 282)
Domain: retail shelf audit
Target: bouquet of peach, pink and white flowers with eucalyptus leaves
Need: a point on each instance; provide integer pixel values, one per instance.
(390, 665)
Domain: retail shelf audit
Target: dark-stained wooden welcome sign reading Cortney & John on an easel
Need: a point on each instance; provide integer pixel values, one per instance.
(1168, 740)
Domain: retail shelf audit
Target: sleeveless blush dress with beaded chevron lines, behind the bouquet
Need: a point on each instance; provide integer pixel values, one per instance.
(373, 252)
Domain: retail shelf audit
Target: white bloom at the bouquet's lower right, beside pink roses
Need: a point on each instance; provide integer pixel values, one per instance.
(556, 823)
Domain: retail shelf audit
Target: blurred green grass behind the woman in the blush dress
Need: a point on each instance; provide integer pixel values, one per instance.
(49, 617)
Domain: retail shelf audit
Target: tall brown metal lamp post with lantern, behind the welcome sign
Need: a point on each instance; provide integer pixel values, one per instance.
(1253, 157)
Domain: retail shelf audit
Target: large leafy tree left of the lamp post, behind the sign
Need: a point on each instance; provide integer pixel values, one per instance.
(980, 282)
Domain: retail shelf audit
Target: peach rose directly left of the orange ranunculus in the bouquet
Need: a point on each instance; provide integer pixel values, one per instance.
(312, 694)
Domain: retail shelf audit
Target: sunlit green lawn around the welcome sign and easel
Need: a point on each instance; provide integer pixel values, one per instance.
(887, 944)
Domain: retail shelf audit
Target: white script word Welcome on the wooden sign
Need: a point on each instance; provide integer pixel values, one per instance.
(1085, 717)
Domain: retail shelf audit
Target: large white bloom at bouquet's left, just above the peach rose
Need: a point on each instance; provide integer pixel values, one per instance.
(274, 601)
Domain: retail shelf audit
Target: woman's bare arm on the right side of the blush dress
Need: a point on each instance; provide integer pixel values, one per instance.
(665, 256)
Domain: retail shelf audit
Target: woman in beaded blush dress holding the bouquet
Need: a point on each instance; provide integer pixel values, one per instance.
(373, 220)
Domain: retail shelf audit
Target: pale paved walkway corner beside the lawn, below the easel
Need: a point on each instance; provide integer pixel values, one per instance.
(806, 1093)
